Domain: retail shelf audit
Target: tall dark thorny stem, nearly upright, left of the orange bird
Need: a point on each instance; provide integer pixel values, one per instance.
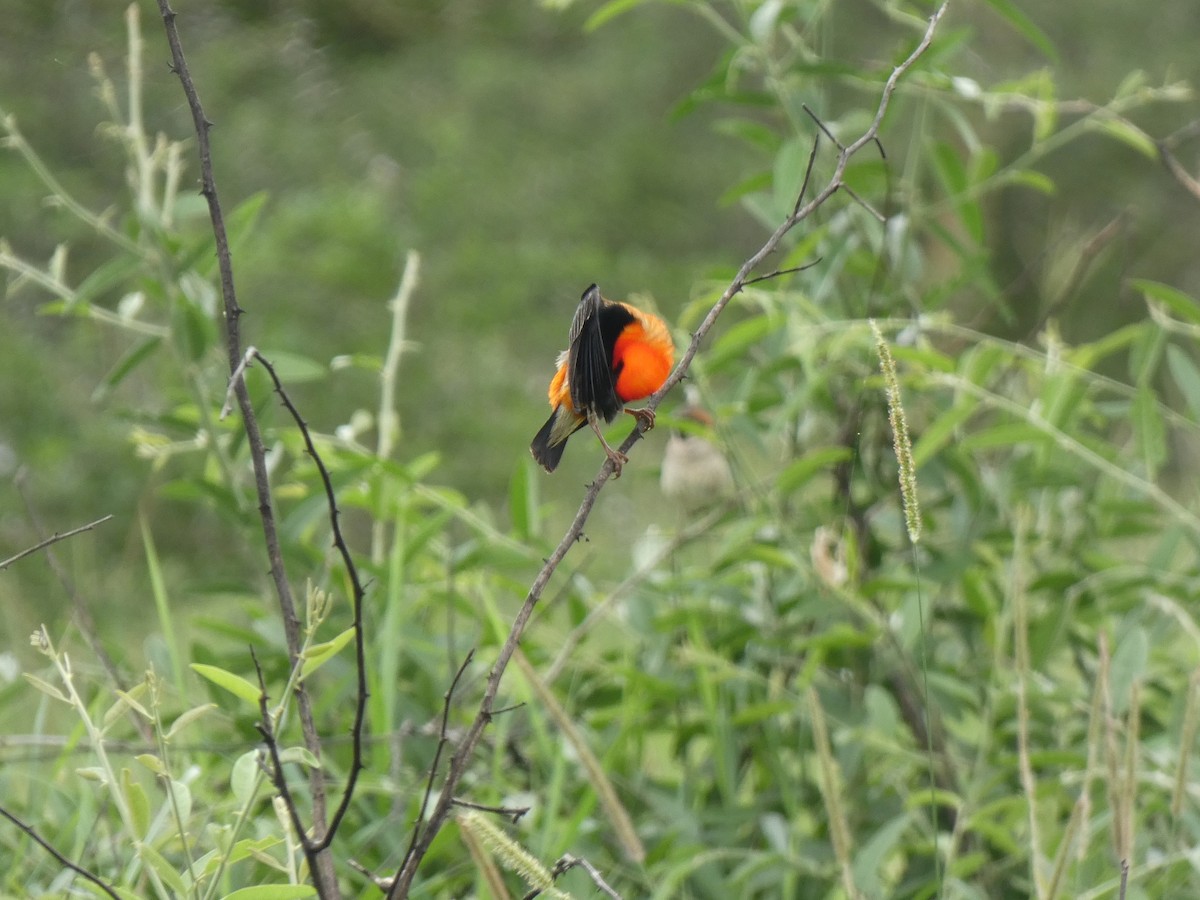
(325, 878)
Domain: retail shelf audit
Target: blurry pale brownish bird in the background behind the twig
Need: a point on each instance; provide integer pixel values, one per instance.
(695, 472)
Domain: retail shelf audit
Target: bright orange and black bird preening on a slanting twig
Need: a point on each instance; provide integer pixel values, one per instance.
(616, 355)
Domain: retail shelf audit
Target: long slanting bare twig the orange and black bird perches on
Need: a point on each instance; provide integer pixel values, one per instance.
(459, 761)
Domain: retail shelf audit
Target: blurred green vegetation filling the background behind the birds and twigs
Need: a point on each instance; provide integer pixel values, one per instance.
(779, 698)
